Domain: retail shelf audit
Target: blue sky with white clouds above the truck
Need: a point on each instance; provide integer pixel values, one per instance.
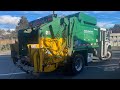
(9, 19)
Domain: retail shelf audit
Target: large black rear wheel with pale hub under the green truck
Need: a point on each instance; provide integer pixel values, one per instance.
(77, 64)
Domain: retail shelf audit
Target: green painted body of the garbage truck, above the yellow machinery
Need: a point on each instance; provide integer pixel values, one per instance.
(82, 29)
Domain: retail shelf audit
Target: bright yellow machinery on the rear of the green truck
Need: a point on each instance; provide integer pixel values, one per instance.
(48, 52)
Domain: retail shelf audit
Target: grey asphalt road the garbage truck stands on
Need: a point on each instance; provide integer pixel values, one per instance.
(94, 70)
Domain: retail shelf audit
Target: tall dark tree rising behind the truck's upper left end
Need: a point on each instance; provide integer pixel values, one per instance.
(23, 23)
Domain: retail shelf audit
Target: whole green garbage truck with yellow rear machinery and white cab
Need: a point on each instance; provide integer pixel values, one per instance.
(52, 42)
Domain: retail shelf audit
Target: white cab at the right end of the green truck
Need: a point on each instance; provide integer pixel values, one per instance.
(105, 52)
